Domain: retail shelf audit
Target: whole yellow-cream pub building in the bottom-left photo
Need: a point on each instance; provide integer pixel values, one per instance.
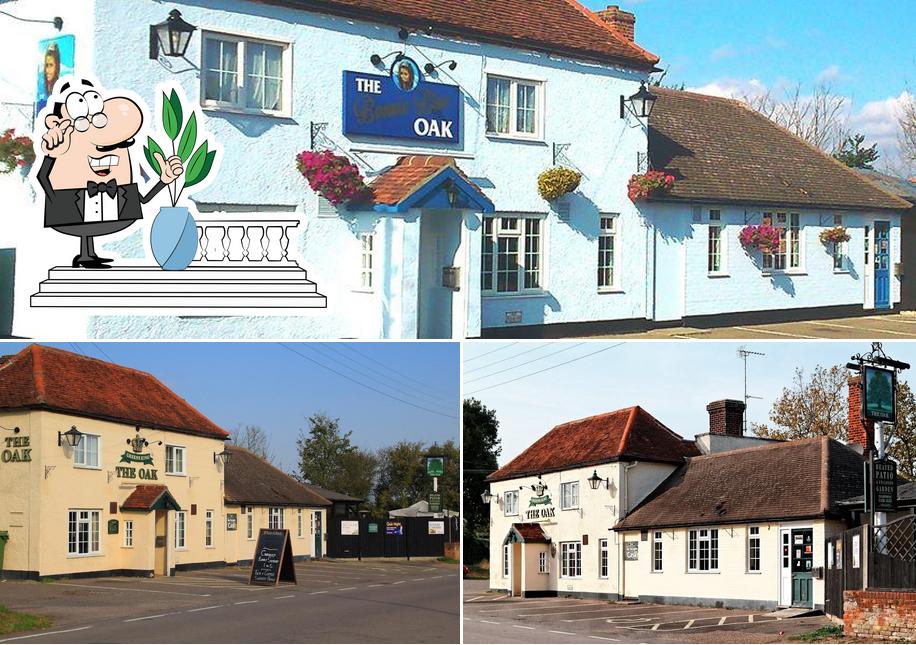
(104, 470)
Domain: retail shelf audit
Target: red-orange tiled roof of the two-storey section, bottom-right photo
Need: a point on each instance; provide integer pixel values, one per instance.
(631, 433)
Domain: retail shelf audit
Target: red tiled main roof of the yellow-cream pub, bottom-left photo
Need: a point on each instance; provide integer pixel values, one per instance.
(53, 379)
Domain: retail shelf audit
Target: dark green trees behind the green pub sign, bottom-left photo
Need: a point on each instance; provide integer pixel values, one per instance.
(402, 478)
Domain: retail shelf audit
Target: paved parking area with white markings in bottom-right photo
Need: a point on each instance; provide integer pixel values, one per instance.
(494, 618)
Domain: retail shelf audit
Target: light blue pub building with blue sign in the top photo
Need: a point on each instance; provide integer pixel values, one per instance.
(456, 242)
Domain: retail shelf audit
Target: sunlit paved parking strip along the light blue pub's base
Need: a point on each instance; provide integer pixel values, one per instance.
(872, 327)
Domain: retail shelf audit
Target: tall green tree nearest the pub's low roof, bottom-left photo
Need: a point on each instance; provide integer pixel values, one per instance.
(328, 458)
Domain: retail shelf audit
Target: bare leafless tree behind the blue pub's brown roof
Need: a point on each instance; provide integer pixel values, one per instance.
(819, 118)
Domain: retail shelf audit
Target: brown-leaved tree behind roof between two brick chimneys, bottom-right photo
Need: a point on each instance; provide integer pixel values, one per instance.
(810, 407)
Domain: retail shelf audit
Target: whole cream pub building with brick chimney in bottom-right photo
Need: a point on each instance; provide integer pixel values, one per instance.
(626, 508)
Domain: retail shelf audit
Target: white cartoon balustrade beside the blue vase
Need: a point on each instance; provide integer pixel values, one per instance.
(226, 238)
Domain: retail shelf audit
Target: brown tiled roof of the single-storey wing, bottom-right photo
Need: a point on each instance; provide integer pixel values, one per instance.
(788, 480)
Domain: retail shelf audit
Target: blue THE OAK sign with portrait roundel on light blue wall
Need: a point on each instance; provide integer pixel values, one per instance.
(401, 105)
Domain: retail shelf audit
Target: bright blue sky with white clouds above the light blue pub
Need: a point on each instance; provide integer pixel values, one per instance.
(867, 50)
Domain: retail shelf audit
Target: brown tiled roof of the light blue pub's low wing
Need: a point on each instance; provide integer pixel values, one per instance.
(721, 151)
